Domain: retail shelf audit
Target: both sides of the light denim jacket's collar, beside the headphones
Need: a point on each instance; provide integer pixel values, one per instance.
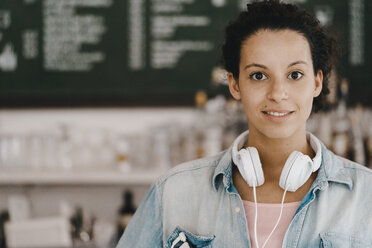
(332, 169)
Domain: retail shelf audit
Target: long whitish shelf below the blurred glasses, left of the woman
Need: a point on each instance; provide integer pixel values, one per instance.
(77, 177)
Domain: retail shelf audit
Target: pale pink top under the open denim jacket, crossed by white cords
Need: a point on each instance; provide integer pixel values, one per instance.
(268, 214)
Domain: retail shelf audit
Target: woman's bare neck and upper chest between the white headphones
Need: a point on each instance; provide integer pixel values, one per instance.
(274, 152)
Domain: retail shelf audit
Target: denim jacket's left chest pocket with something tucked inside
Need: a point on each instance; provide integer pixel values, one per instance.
(181, 238)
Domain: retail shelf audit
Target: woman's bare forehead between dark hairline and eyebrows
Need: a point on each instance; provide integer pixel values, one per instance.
(269, 46)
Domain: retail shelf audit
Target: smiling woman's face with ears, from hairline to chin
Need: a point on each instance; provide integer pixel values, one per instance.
(276, 82)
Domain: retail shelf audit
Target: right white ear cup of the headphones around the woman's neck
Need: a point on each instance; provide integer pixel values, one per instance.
(296, 171)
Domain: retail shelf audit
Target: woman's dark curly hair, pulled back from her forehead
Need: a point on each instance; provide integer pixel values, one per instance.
(274, 15)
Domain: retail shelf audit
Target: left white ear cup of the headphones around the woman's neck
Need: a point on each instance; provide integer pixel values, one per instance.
(251, 167)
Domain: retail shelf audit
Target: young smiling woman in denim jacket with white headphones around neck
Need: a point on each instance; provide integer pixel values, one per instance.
(277, 186)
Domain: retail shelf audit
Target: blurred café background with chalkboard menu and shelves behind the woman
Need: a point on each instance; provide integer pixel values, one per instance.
(98, 98)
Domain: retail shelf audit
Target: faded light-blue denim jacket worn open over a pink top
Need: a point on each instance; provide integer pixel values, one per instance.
(199, 199)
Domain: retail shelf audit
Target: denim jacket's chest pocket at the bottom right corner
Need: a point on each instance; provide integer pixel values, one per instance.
(337, 240)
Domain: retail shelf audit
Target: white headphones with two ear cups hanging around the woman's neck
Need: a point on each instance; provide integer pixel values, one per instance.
(296, 170)
